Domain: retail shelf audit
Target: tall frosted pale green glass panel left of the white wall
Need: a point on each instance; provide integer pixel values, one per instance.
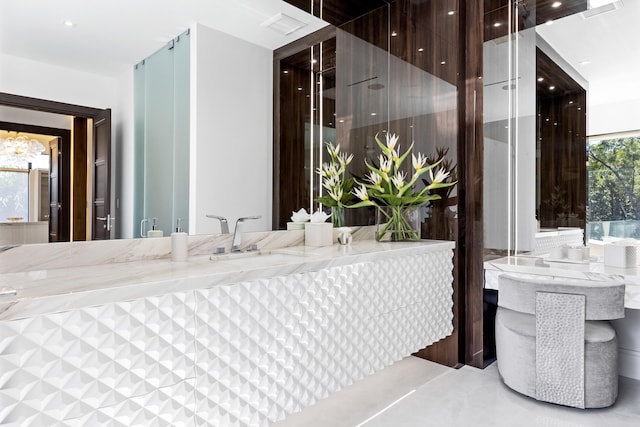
(161, 132)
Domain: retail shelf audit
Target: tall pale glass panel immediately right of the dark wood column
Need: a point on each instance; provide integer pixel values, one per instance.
(509, 111)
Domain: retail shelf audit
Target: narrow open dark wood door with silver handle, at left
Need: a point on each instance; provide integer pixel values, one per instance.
(102, 218)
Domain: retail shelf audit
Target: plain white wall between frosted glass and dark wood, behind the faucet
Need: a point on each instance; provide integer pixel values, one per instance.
(231, 138)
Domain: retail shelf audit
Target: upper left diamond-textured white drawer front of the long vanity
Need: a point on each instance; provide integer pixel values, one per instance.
(64, 365)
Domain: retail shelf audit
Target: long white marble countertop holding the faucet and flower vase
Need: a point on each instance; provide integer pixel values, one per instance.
(56, 289)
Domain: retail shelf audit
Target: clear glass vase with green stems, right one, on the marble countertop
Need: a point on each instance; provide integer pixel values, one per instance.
(398, 223)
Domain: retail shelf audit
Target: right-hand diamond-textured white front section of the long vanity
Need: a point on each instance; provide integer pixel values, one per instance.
(268, 348)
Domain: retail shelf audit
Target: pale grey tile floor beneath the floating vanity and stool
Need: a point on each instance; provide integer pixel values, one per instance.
(415, 392)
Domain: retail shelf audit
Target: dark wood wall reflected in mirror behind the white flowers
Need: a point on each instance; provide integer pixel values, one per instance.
(368, 75)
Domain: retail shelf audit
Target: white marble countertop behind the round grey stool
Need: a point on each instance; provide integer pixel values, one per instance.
(592, 270)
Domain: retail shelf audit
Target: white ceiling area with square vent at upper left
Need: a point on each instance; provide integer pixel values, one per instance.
(109, 37)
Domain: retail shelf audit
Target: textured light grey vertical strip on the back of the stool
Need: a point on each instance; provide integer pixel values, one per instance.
(560, 348)
